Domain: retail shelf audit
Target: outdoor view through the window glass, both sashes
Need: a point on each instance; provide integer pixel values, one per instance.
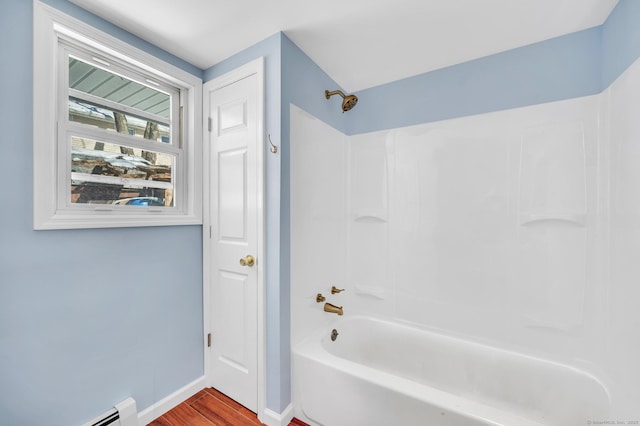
(127, 173)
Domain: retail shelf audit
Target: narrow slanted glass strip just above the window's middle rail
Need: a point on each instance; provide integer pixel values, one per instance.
(82, 111)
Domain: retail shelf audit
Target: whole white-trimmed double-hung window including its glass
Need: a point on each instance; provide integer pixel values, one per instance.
(115, 131)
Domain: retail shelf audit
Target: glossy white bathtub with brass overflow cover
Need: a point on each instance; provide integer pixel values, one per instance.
(385, 373)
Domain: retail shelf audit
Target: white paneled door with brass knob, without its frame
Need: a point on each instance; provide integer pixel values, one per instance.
(235, 209)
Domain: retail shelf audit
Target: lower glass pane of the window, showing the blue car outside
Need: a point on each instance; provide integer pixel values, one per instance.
(106, 173)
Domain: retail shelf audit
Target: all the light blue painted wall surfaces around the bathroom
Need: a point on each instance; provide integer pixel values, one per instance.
(90, 317)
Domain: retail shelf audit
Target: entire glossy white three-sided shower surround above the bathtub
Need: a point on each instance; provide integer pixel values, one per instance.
(516, 228)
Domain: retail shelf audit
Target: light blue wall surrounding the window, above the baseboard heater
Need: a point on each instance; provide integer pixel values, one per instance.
(87, 317)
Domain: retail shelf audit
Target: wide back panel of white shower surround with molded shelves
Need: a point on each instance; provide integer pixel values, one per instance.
(478, 217)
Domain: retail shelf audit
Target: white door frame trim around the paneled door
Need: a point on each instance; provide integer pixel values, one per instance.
(254, 67)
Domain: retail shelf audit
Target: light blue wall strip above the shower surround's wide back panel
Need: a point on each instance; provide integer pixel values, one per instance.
(561, 68)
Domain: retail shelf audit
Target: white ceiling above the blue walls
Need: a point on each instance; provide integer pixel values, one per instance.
(359, 43)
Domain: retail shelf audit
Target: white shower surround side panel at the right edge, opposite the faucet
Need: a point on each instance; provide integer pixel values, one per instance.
(622, 343)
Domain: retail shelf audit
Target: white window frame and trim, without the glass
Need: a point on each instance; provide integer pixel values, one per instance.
(51, 168)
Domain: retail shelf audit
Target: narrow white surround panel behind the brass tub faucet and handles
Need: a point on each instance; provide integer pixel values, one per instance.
(318, 231)
